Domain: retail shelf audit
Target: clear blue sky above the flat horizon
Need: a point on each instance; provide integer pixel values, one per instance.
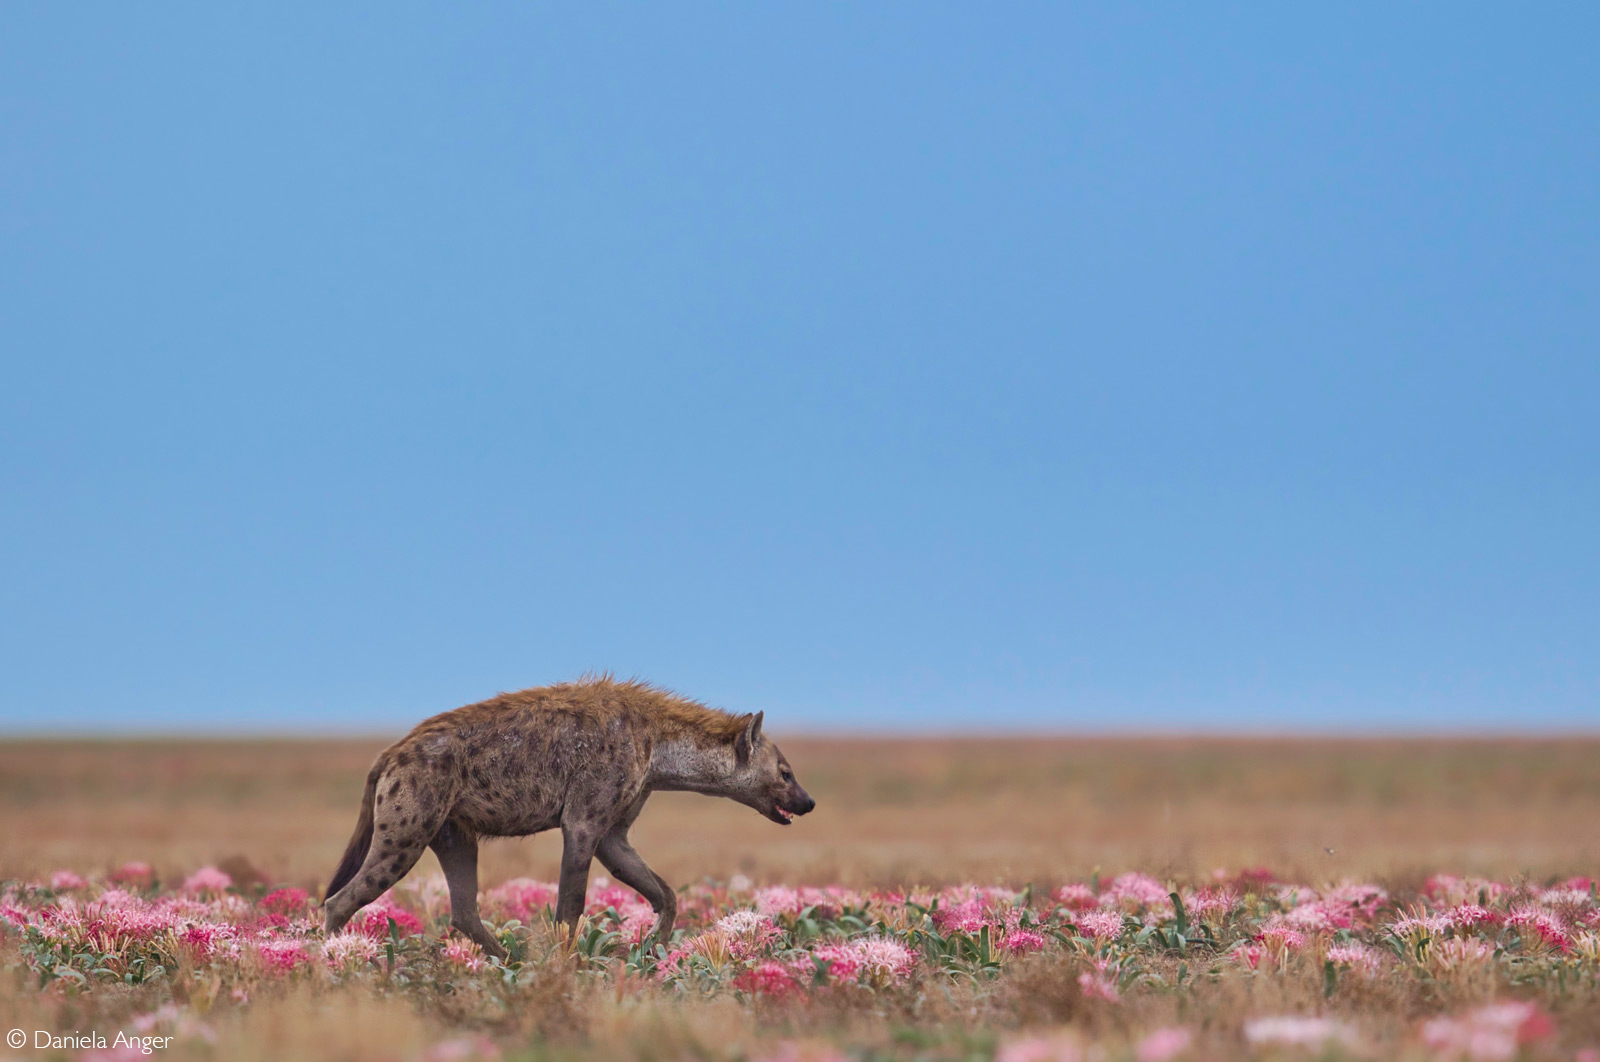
(895, 367)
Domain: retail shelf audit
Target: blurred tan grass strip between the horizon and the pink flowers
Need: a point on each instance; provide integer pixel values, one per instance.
(890, 812)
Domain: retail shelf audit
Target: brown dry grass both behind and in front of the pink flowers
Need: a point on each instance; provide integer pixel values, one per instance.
(890, 812)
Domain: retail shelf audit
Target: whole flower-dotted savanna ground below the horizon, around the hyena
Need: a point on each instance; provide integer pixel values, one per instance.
(970, 898)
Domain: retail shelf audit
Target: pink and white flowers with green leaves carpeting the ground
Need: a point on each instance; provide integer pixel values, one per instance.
(783, 946)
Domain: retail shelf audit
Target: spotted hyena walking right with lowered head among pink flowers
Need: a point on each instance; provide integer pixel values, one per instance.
(583, 757)
